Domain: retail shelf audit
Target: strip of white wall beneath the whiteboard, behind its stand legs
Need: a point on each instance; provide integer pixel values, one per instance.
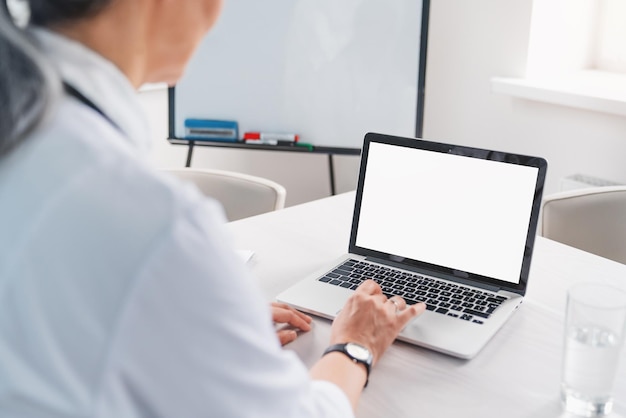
(305, 176)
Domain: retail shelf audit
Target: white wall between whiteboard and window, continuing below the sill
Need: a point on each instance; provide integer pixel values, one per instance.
(470, 42)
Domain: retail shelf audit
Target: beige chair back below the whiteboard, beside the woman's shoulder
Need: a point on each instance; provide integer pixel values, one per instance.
(241, 195)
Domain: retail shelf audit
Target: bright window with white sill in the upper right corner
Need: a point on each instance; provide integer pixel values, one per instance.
(576, 56)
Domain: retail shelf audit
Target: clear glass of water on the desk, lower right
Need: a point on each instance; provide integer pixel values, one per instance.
(595, 324)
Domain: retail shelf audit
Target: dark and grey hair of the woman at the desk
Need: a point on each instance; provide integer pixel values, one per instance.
(28, 82)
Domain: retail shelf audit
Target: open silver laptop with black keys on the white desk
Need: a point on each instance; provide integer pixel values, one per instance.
(449, 225)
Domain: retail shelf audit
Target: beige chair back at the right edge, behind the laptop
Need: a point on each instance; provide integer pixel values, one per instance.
(591, 219)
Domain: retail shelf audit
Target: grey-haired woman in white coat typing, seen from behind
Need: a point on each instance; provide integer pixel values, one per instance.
(119, 295)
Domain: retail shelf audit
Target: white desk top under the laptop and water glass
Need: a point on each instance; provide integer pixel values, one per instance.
(516, 375)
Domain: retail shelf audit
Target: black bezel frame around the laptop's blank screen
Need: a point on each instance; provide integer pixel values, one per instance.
(437, 270)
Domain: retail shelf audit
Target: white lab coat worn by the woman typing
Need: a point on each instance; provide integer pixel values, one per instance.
(120, 295)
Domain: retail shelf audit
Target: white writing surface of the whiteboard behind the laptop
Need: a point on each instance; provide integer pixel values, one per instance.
(327, 70)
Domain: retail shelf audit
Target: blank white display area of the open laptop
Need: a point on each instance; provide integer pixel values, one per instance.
(466, 214)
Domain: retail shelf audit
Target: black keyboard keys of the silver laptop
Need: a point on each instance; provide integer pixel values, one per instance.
(442, 297)
